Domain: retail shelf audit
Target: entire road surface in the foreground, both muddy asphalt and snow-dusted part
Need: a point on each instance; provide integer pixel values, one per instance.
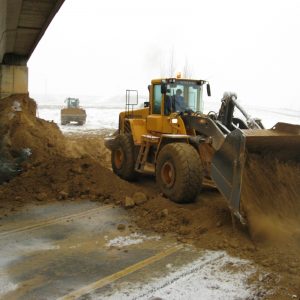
(84, 250)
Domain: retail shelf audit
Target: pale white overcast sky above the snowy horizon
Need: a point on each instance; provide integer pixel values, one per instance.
(102, 48)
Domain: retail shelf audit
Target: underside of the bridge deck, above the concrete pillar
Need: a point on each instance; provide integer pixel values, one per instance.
(22, 25)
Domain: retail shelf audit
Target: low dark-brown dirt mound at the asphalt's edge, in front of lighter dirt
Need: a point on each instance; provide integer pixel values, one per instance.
(65, 178)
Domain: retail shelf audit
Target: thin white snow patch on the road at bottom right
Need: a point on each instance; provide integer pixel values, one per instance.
(215, 275)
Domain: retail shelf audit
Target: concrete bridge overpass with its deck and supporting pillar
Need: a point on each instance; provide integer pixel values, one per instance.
(22, 25)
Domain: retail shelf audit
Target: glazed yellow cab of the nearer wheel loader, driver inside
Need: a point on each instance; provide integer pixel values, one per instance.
(170, 97)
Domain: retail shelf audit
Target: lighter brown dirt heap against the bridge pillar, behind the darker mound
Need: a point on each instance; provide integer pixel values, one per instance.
(20, 129)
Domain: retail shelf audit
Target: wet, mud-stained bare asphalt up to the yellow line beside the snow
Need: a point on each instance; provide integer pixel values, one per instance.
(70, 249)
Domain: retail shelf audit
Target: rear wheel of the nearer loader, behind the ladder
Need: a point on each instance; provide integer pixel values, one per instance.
(123, 158)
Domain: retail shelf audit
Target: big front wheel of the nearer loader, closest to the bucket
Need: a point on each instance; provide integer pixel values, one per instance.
(179, 172)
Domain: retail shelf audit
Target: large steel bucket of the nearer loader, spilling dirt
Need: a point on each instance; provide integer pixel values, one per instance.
(230, 162)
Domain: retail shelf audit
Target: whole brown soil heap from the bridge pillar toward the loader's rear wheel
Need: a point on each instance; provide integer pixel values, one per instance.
(59, 167)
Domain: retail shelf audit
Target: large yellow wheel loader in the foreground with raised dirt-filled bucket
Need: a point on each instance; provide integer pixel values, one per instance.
(174, 140)
